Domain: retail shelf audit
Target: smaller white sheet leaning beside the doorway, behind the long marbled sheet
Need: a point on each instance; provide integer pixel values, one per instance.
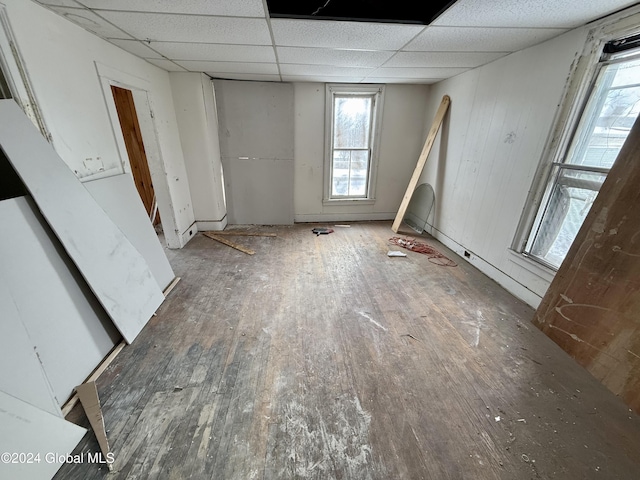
(118, 197)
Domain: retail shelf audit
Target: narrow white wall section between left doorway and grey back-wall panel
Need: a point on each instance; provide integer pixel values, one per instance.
(194, 102)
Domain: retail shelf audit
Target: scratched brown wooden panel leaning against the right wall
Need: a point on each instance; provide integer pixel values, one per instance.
(592, 308)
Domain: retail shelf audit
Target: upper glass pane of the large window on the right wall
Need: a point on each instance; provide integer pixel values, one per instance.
(609, 116)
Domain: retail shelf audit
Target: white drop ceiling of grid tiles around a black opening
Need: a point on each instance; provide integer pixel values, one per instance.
(239, 39)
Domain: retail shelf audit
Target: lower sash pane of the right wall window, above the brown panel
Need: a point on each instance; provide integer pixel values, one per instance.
(569, 203)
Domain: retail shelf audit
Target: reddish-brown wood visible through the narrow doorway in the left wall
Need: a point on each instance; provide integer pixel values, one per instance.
(135, 147)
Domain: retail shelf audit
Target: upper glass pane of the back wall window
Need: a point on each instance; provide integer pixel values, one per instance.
(352, 121)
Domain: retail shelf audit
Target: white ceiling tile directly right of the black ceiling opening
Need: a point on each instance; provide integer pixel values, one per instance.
(530, 13)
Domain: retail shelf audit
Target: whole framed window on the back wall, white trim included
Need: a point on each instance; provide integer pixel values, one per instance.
(352, 130)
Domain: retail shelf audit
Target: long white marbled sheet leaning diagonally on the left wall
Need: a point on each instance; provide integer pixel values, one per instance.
(115, 271)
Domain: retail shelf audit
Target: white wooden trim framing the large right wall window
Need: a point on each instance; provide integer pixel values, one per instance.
(575, 97)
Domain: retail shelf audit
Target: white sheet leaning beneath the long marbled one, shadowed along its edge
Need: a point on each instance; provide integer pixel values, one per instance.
(67, 327)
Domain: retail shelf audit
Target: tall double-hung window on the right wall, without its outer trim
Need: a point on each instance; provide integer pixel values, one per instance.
(576, 177)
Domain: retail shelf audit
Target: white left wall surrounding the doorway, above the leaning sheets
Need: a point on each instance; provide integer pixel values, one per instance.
(61, 60)
